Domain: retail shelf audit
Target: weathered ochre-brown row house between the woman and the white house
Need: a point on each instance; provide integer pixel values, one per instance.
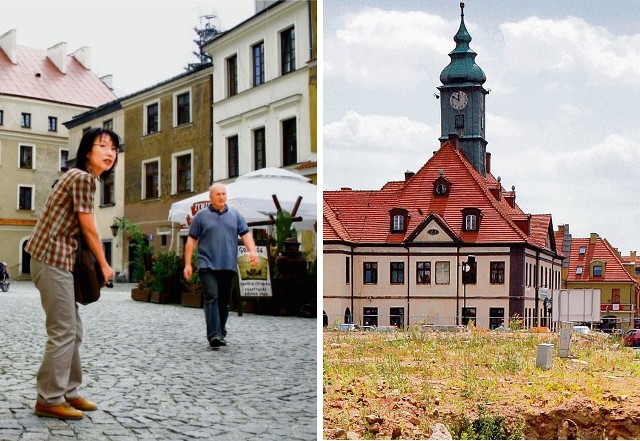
(166, 152)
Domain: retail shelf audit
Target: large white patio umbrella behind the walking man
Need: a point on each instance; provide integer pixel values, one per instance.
(252, 195)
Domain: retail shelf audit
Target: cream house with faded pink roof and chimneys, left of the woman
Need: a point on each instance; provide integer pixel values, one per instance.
(39, 91)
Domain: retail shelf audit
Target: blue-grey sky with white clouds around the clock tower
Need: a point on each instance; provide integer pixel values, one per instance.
(563, 113)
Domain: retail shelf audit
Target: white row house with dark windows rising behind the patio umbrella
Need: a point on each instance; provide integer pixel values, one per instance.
(263, 109)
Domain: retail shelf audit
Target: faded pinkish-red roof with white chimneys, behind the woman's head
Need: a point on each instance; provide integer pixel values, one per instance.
(35, 76)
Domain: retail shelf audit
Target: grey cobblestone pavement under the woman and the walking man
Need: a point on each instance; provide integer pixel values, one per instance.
(150, 369)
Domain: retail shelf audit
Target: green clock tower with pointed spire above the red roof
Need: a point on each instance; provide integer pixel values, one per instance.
(462, 100)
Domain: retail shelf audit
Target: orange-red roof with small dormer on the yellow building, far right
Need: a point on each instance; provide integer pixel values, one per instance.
(598, 250)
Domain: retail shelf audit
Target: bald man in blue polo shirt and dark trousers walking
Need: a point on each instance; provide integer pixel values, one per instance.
(216, 230)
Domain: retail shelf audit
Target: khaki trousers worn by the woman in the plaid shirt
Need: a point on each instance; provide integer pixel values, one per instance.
(60, 373)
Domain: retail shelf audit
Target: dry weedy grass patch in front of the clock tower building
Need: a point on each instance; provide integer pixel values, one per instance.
(426, 377)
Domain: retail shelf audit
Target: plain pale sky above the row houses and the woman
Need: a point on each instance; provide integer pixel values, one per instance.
(139, 42)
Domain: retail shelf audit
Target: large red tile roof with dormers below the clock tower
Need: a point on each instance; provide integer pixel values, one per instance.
(364, 215)
